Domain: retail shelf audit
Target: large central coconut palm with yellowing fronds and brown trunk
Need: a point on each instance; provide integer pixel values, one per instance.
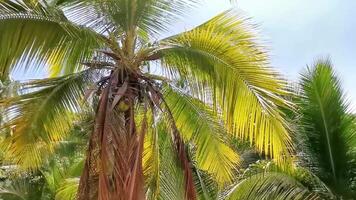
(211, 83)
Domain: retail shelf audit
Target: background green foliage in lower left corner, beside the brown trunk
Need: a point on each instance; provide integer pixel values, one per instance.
(57, 177)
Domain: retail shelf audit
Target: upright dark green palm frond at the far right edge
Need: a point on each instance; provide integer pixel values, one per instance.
(327, 130)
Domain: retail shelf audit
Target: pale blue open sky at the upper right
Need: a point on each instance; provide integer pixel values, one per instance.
(297, 32)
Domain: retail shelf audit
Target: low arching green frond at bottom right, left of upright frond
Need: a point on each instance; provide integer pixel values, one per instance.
(264, 179)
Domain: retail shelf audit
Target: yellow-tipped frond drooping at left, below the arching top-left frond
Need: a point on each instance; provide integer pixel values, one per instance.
(42, 116)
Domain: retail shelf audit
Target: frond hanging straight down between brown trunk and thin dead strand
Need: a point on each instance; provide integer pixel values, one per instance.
(160, 165)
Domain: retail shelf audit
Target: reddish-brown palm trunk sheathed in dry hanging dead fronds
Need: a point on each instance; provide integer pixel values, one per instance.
(113, 169)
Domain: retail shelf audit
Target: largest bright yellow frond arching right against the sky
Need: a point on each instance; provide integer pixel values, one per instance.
(222, 65)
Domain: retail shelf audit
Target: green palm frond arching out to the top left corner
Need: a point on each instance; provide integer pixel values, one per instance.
(34, 37)
